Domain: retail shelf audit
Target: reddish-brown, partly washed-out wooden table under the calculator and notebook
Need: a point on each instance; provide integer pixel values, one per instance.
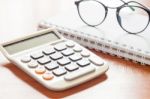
(123, 80)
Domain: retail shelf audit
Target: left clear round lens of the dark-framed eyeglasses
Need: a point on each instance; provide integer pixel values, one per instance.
(92, 12)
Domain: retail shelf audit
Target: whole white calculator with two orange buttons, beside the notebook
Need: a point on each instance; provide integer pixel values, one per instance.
(52, 60)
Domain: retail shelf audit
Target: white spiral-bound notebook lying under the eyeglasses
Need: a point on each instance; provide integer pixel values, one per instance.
(108, 37)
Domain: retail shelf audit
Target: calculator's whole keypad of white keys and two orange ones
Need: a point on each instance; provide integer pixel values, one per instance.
(64, 59)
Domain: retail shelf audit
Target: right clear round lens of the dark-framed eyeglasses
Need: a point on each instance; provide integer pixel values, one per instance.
(133, 21)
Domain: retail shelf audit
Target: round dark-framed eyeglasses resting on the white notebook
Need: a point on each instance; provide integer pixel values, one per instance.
(93, 13)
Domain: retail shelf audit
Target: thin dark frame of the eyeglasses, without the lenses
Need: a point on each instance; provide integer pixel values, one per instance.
(125, 4)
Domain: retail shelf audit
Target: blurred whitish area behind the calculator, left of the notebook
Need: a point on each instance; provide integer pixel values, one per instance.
(22, 16)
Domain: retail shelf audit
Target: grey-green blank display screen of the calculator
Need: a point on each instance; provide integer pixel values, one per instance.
(30, 42)
